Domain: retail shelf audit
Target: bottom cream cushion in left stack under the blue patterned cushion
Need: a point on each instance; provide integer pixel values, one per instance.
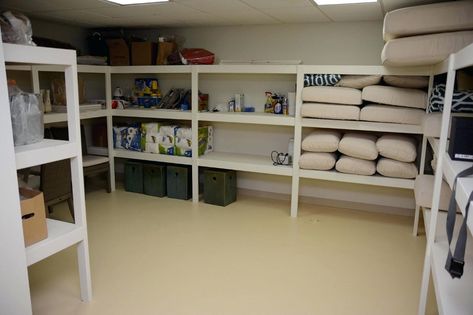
(330, 111)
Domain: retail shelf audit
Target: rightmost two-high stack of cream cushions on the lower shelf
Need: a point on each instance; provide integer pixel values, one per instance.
(398, 155)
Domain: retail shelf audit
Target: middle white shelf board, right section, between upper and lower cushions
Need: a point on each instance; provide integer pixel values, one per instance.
(361, 125)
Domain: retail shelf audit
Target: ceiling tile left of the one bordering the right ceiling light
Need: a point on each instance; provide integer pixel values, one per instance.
(297, 14)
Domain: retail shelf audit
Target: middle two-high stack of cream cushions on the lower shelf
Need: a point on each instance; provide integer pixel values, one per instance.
(359, 154)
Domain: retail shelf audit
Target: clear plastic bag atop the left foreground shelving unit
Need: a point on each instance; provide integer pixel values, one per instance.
(16, 29)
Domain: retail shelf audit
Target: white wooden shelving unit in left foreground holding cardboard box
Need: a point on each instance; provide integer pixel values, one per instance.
(14, 287)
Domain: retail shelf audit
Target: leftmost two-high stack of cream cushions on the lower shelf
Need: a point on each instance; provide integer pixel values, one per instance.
(320, 148)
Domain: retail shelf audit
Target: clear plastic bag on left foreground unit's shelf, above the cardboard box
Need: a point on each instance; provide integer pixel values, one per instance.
(27, 118)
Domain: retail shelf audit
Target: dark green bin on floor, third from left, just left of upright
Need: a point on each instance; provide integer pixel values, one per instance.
(179, 182)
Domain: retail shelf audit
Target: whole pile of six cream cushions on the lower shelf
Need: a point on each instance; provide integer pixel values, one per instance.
(391, 155)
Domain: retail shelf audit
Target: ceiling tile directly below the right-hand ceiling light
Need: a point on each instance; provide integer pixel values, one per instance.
(353, 12)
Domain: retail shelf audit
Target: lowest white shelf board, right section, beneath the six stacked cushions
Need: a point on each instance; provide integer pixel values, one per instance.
(376, 180)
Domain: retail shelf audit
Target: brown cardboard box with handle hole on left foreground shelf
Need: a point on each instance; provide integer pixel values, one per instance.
(33, 216)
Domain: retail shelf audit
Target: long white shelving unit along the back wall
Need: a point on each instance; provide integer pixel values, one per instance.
(249, 161)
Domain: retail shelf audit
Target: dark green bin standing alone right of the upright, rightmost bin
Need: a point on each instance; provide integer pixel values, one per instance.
(219, 187)
